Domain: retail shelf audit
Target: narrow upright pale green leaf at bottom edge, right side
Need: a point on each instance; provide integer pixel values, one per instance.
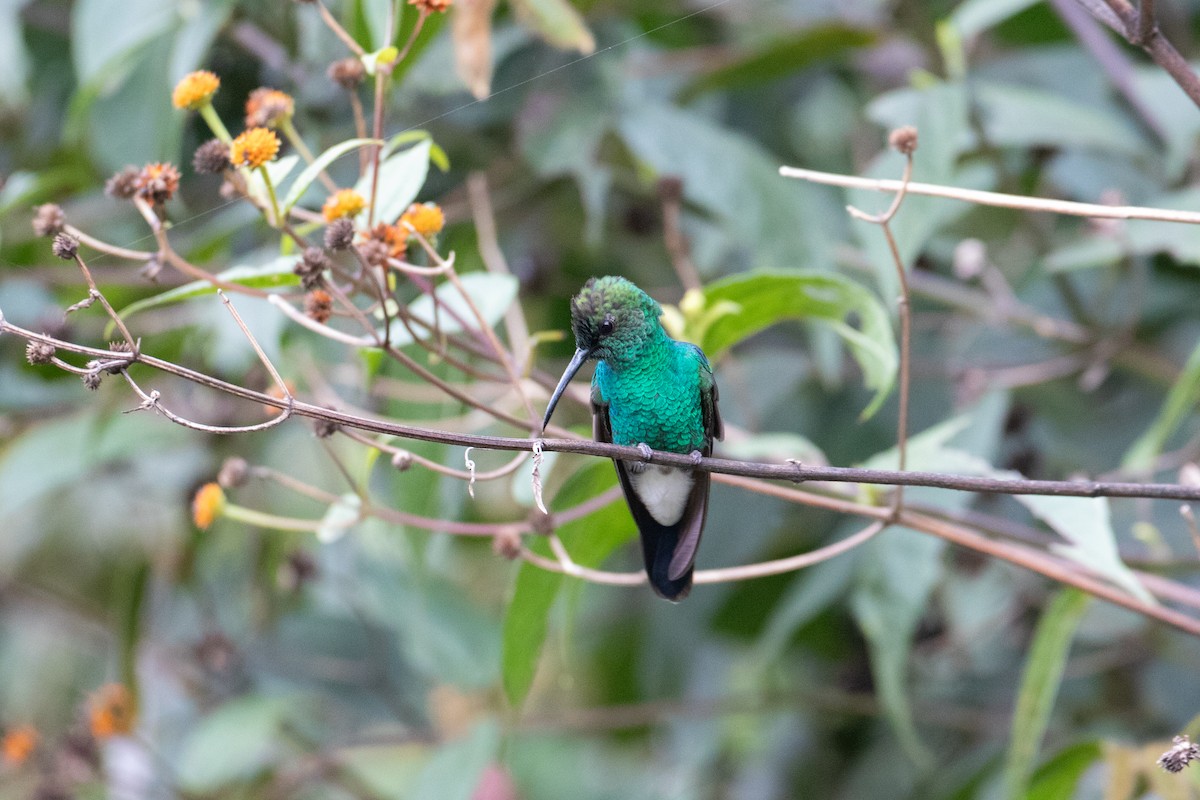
(1040, 687)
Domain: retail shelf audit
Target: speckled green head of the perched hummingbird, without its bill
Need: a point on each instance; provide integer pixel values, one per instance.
(613, 318)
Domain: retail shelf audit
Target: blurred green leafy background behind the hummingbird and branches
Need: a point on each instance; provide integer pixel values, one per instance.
(369, 659)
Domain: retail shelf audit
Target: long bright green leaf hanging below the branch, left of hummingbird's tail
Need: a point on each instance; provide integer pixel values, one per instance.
(590, 542)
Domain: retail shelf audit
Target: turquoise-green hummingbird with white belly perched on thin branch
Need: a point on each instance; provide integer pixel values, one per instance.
(651, 393)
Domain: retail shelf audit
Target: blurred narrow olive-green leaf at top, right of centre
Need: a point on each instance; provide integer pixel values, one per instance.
(783, 58)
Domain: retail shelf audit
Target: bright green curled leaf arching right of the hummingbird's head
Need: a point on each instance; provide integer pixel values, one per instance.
(765, 299)
